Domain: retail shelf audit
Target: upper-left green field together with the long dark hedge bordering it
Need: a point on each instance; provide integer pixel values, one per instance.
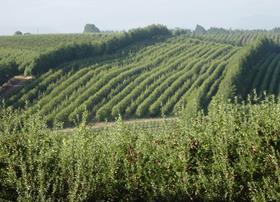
(22, 55)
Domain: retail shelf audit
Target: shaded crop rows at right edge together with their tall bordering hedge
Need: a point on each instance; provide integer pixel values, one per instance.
(256, 67)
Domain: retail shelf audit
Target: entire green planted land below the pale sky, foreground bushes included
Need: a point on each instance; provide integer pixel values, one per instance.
(207, 148)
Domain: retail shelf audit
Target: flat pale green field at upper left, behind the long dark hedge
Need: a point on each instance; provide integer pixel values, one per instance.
(18, 53)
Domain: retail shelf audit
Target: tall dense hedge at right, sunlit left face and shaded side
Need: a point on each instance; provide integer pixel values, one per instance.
(242, 67)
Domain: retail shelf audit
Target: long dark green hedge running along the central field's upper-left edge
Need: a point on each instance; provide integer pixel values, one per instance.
(71, 52)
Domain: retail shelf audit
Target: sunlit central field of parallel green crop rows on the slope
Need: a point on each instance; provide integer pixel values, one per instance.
(147, 83)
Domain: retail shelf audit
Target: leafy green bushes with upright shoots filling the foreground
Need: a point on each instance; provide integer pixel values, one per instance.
(232, 154)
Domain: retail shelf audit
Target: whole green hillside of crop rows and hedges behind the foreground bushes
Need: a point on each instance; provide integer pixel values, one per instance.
(145, 72)
